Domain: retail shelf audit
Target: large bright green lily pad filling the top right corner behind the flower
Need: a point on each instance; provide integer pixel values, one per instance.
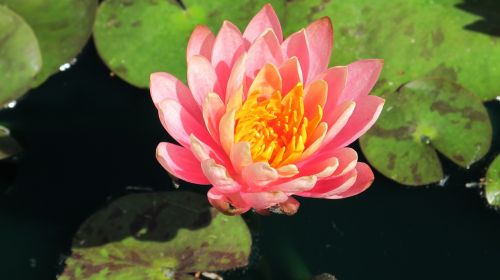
(416, 38)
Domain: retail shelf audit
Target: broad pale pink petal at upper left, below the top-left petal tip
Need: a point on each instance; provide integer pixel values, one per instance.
(201, 78)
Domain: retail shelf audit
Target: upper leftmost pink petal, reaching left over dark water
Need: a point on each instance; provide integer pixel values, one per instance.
(164, 85)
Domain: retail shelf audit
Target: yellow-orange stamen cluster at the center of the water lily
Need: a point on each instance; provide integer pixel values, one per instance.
(275, 126)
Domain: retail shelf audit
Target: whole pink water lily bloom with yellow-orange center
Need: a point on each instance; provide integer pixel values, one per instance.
(264, 118)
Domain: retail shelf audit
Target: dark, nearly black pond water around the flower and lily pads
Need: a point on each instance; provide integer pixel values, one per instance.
(89, 136)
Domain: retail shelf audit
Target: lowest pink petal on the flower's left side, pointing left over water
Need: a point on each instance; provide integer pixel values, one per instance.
(181, 163)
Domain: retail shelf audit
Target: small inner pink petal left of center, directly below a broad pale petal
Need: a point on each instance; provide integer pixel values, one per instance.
(213, 109)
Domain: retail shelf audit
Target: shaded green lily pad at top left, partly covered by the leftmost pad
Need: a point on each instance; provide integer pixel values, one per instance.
(61, 26)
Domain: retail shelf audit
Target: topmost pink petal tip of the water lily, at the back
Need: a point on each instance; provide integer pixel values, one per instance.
(264, 19)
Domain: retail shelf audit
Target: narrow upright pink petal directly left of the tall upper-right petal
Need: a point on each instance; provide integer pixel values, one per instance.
(298, 46)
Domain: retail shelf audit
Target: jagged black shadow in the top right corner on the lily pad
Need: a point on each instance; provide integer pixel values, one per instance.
(489, 10)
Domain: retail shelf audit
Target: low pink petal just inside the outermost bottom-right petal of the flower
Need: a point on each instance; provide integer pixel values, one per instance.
(331, 186)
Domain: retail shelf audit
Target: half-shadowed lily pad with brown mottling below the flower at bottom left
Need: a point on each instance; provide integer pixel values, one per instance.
(157, 236)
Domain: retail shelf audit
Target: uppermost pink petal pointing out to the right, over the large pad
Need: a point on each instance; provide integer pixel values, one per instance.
(361, 77)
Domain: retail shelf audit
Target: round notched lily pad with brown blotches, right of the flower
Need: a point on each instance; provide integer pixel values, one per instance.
(421, 117)
